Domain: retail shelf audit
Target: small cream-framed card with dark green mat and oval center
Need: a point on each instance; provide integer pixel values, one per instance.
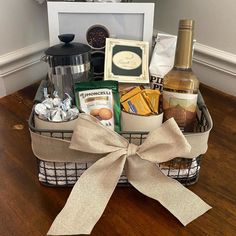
(126, 61)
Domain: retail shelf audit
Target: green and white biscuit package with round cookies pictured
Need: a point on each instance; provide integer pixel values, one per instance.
(100, 99)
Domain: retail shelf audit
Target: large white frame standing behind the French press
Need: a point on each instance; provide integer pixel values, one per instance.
(132, 21)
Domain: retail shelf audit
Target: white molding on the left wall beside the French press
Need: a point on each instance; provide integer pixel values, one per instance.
(22, 67)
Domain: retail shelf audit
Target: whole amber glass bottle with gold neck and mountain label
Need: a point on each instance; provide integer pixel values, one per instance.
(180, 84)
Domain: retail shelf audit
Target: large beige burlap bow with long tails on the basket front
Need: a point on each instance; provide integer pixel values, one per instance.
(94, 188)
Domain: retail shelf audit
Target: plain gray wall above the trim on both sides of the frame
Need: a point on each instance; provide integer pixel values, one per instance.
(24, 22)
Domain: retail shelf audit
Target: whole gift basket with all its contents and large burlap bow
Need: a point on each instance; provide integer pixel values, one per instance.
(104, 116)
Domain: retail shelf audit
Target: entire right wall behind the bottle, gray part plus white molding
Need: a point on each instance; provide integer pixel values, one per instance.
(215, 32)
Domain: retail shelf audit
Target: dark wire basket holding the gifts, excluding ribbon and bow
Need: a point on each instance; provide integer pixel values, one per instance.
(186, 171)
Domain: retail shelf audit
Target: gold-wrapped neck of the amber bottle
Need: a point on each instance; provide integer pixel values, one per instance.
(184, 46)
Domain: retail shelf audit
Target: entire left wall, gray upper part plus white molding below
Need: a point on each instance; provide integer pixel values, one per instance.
(24, 35)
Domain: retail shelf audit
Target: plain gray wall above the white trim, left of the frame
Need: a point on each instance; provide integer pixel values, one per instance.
(22, 23)
